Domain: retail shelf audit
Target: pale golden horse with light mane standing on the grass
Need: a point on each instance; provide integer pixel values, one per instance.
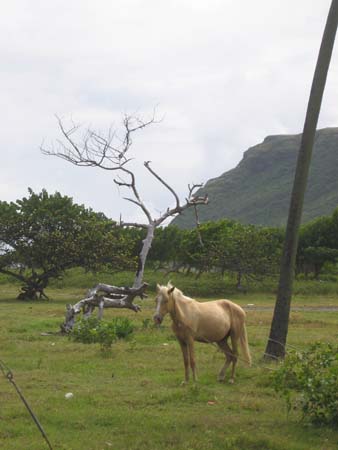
(208, 322)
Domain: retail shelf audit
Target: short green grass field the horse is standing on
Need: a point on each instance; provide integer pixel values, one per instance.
(132, 397)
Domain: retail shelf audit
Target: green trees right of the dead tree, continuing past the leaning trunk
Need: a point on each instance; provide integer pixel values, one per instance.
(245, 251)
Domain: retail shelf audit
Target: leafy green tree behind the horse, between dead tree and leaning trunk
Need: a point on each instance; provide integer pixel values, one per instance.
(247, 251)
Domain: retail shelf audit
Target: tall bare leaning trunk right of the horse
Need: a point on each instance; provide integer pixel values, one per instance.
(279, 328)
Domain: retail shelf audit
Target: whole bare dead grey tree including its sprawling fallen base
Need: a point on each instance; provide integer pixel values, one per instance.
(110, 153)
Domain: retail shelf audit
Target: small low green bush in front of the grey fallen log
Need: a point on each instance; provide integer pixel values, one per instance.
(93, 330)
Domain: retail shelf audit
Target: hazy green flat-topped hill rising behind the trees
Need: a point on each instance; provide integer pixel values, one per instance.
(258, 190)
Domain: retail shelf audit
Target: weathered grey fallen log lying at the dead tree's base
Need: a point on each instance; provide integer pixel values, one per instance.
(103, 296)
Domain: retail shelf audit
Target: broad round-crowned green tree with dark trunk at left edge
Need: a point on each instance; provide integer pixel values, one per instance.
(42, 235)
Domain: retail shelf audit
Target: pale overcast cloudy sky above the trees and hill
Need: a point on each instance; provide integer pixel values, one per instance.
(223, 74)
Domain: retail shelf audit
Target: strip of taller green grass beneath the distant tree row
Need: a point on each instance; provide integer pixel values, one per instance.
(210, 285)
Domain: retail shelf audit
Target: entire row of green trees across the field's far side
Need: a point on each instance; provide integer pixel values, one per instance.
(43, 235)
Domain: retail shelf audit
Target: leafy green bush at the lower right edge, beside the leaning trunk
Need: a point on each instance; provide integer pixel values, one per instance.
(309, 381)
